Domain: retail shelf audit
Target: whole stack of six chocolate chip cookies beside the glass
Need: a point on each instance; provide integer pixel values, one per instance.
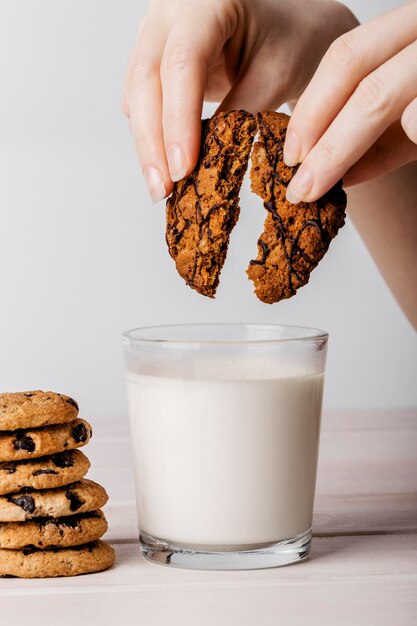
(50, 518)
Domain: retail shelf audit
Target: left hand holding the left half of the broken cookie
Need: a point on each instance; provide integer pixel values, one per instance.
(245, 54)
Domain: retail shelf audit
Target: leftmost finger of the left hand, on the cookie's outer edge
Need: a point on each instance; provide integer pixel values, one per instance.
(143, 104)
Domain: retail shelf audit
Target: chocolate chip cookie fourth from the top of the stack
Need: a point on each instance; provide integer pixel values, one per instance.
(80, 497)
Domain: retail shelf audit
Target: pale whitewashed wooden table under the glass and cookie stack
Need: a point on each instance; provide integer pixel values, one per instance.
(362, 570)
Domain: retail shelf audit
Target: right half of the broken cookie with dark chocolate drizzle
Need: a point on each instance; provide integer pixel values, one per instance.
(295, 237)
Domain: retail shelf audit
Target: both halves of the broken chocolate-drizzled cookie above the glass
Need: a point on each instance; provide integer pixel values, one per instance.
(204, 208)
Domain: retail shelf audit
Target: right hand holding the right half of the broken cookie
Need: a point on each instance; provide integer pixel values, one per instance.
(357, 117)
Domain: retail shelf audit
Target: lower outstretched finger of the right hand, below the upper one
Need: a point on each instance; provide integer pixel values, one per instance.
(379, 100)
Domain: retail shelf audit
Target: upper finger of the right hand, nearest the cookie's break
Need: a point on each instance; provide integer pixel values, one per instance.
(349, 59)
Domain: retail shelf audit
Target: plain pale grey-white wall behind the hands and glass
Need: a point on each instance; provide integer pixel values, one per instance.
(82, 250)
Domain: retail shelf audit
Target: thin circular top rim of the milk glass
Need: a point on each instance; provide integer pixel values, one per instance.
(138, 335)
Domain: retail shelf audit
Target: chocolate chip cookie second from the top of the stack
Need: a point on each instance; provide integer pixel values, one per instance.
(33, 443)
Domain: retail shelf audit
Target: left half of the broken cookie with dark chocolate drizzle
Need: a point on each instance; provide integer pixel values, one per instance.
(204, 206)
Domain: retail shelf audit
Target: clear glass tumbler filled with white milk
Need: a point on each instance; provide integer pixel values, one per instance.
(225, 423)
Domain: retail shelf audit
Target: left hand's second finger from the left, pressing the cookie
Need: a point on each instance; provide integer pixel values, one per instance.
(192, 43)
